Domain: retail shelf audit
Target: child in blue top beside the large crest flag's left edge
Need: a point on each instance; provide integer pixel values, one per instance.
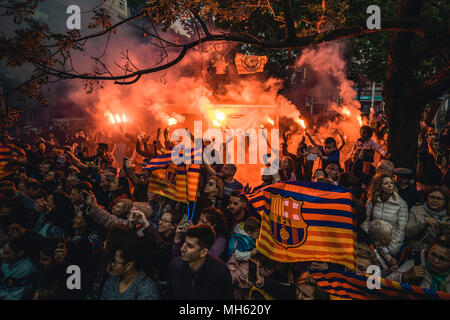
(243, 240)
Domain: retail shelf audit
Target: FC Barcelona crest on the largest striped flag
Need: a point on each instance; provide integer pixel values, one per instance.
(286, 222)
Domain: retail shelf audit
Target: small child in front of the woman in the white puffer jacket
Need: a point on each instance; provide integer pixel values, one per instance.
(381, 233)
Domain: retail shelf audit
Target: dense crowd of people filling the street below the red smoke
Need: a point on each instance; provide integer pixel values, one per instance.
(61, 206)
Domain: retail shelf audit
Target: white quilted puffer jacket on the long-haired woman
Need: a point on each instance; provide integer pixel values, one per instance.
(393, 211)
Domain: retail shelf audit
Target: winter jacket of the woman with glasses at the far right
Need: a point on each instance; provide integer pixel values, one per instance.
(418, 233)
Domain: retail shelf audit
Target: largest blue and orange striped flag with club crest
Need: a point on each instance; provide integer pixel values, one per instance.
(306, 221)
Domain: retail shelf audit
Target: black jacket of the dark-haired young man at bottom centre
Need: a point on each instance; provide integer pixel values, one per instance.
(211, 282)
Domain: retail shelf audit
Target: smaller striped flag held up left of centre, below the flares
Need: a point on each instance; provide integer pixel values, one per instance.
(175, 181)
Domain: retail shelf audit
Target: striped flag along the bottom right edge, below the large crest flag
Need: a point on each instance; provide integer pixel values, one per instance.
(350, 286)
